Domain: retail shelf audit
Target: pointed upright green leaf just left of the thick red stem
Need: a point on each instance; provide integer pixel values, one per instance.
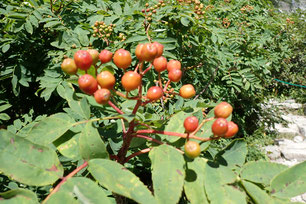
(91, 144)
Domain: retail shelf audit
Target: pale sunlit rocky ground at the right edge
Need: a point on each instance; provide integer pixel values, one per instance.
(290, 146)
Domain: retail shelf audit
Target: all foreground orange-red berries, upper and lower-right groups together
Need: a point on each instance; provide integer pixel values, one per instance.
(102, 87)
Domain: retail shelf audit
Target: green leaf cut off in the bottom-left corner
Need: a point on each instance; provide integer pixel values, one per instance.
(18, 196)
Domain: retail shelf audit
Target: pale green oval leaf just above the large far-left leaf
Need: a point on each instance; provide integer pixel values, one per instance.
(50, 128)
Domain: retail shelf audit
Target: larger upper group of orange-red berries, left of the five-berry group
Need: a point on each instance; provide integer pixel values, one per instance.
(102, 86)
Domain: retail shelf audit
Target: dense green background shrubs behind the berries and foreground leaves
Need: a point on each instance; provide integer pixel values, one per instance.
(230, 50)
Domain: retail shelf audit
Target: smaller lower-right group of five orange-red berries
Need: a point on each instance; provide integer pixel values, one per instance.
(220, 128)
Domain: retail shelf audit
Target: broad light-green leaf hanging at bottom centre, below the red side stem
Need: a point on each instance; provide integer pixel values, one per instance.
(167, 173)
